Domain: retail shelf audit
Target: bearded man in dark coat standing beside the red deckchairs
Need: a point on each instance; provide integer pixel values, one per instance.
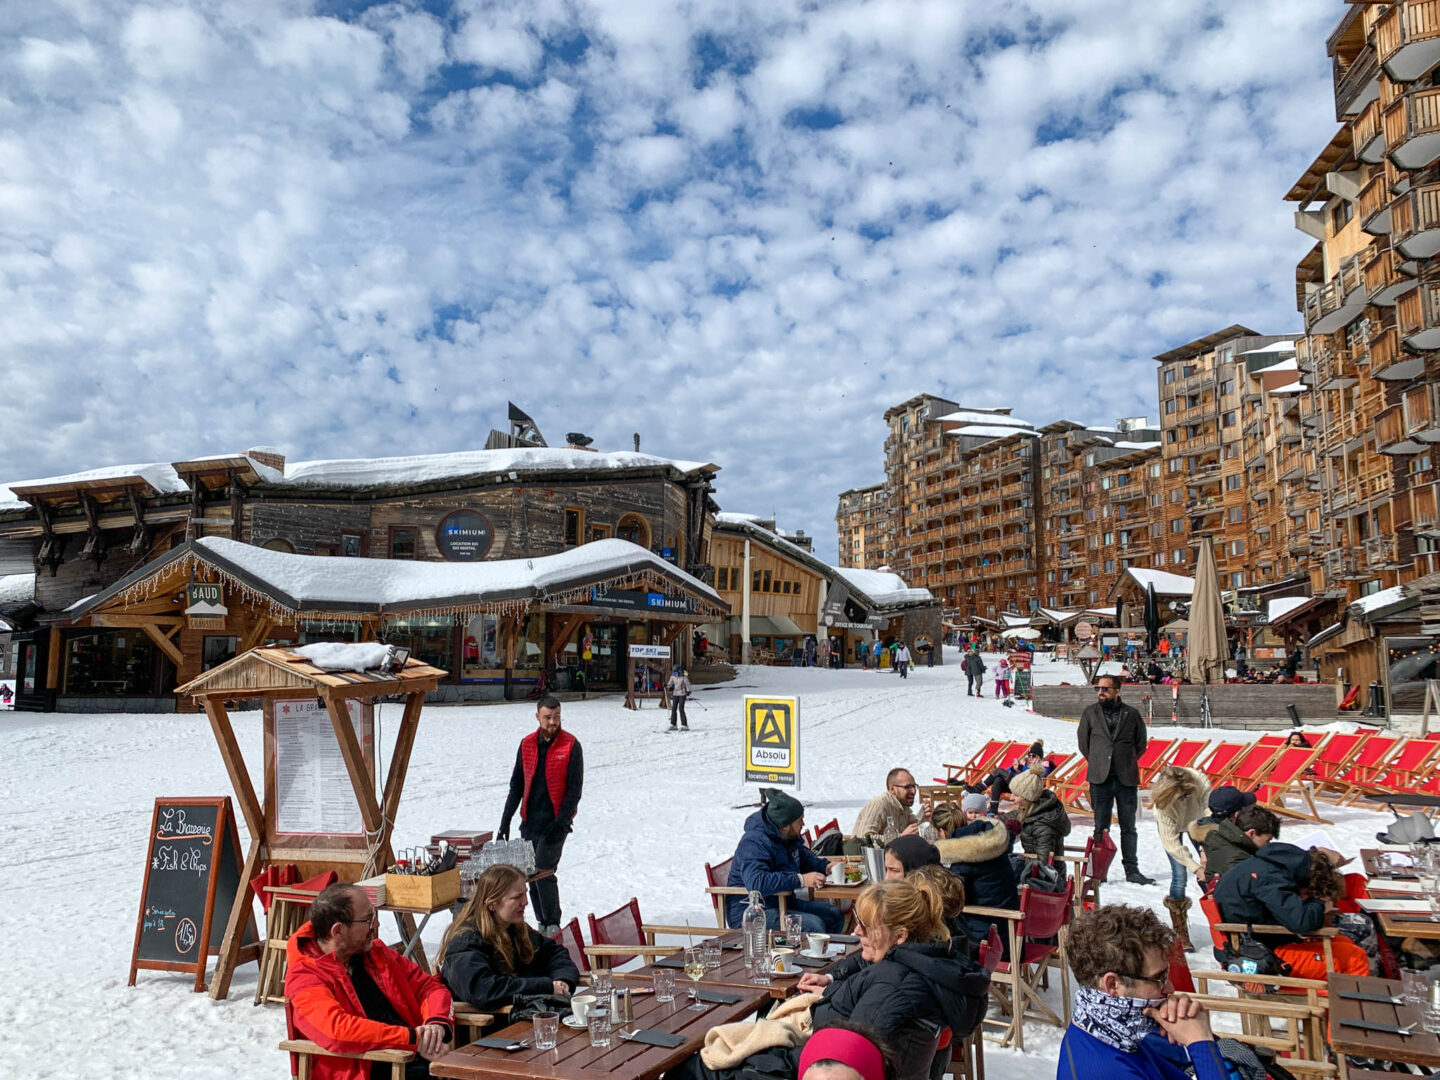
(1112, 738)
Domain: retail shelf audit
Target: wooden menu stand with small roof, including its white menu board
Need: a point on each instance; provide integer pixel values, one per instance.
(315, 827)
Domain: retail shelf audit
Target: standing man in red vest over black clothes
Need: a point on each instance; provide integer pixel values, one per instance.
(546, 787)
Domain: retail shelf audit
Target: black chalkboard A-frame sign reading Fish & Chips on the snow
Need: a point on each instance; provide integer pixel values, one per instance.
(192, 879)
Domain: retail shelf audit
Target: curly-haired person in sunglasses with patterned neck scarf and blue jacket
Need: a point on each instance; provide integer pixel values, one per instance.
(1127, 1019)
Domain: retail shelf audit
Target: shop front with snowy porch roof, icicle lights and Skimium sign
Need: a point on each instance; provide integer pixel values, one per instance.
(498, 629)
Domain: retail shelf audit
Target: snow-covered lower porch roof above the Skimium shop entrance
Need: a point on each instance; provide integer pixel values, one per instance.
(310, 582)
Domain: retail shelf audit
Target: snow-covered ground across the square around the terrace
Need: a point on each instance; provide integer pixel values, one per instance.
(77, 794)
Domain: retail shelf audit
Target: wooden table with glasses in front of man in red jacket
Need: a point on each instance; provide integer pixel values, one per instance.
(575, 1059)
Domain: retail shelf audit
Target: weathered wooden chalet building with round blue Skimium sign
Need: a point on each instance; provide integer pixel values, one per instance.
(87, 532)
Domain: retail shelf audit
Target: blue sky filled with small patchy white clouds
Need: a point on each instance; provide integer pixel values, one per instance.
(739, 228)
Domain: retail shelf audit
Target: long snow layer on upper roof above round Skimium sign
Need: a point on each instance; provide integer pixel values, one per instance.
(428, 469)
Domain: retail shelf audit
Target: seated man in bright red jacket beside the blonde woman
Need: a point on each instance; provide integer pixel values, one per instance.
(351, 993)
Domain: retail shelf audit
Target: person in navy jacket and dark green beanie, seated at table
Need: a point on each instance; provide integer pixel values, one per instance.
(773, 859)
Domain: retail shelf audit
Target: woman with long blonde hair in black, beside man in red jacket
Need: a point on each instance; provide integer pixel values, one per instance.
(489, 957)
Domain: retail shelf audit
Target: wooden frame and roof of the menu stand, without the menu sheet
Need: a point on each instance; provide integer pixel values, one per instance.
(276, 676)
